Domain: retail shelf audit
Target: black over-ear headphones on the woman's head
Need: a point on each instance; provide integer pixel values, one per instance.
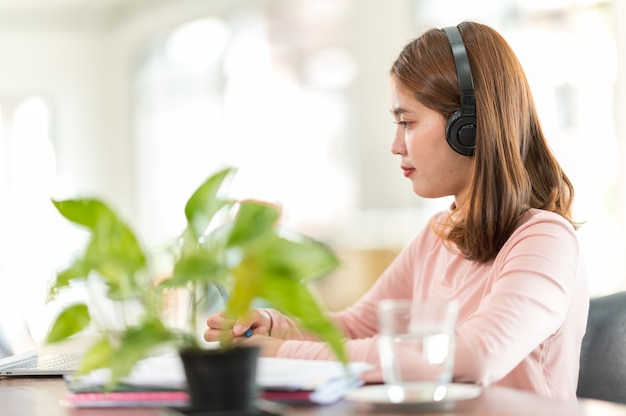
(461, 126)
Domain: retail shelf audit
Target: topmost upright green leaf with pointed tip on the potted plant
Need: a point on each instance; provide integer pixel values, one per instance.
(204, 203)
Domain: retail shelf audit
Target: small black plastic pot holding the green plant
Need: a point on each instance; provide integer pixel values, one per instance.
(222, 381)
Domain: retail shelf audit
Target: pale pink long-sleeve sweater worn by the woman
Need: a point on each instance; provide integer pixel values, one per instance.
(522, 316)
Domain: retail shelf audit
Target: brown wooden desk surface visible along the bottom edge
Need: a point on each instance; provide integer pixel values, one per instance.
(41, 397)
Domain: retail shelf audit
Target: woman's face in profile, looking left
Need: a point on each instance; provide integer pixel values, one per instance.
(434, 169)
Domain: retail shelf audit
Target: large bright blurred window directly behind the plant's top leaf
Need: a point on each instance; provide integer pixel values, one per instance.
(253, 91)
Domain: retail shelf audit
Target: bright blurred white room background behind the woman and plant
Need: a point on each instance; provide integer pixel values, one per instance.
(138, 101)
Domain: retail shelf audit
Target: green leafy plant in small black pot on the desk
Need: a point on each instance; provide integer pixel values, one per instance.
(235, 245)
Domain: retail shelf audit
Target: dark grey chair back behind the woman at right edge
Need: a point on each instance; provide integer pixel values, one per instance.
(603, 355)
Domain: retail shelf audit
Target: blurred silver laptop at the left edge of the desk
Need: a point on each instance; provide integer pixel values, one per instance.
(19, 355)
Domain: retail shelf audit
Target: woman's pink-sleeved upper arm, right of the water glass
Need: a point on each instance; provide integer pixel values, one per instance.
(537, 285)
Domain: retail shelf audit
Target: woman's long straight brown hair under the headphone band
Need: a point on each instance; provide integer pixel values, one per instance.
(514, 168)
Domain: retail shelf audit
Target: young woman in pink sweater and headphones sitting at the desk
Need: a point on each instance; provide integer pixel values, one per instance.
(505, 250)
